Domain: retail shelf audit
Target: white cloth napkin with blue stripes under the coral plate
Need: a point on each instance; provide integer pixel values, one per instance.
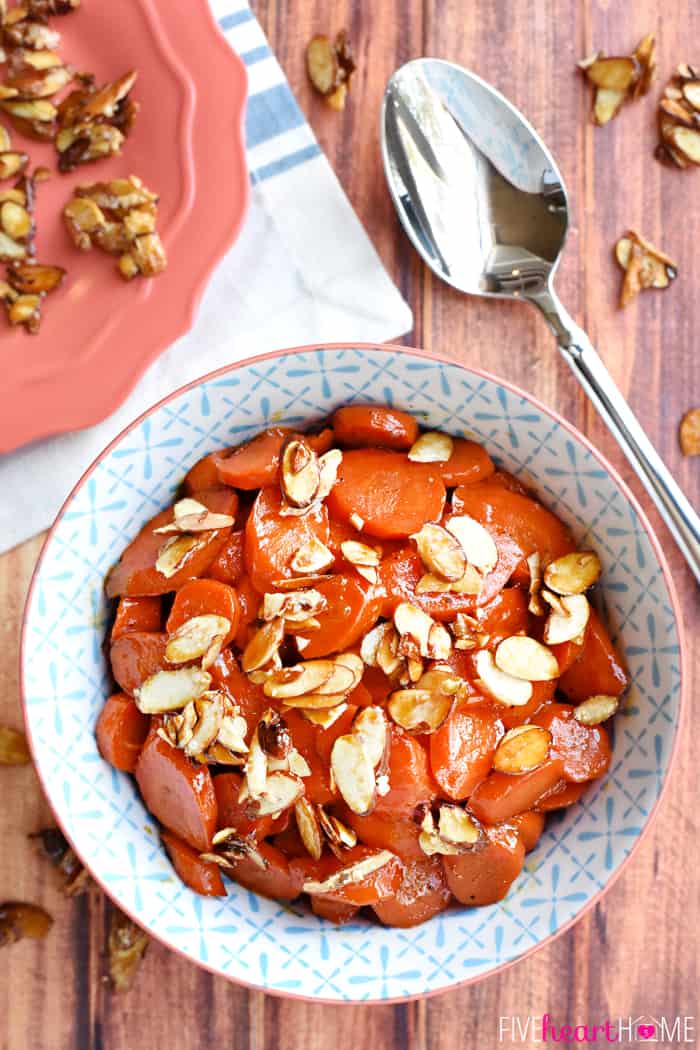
(302, 271)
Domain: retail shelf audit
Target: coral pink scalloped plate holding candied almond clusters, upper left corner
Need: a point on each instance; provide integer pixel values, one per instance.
(100, 333)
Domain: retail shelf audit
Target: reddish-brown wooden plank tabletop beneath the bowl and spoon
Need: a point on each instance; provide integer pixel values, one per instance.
(638, 952)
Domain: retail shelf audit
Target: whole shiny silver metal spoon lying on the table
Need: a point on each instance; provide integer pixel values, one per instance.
(485, 206)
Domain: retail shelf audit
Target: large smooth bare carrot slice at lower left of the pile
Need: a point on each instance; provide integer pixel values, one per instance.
(179, 792)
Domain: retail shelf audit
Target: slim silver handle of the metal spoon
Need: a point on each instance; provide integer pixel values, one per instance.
(592, 374)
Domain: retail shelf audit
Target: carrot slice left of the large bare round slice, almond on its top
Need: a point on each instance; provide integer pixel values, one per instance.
(272, 539)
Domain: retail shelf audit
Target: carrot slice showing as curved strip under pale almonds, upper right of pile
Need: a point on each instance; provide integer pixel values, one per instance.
(401, 572)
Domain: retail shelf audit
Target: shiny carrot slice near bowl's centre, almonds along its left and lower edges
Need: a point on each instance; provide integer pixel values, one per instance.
(352, 608)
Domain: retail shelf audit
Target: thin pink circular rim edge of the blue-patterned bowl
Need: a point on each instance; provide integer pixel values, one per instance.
(622, 485)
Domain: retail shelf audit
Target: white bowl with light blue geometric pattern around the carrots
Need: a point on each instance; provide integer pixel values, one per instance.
(286, 949)
